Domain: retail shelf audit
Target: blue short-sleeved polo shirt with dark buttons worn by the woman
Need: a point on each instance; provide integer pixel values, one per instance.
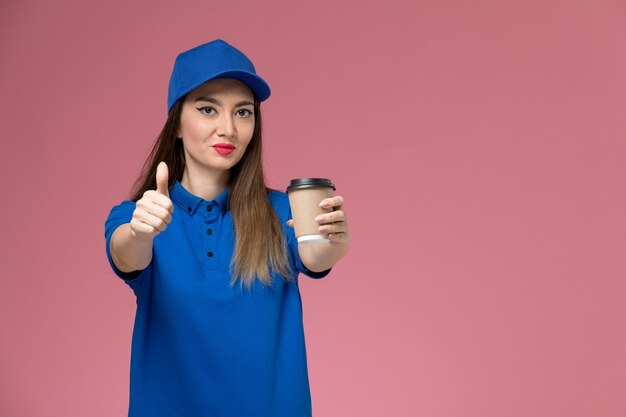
(200, 347)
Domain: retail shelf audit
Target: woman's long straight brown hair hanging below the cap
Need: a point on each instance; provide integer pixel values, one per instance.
(260, 242)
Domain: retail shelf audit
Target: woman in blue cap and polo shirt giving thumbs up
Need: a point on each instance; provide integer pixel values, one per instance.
(202, 219)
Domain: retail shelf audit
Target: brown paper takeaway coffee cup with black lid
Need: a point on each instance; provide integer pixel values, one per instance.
(305, 195)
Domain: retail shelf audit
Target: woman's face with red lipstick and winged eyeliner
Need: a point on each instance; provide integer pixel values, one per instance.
(219, 112)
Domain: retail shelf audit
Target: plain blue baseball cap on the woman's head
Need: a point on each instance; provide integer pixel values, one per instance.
(216, 59)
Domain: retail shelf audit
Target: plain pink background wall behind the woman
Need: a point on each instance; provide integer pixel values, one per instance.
(480, 148)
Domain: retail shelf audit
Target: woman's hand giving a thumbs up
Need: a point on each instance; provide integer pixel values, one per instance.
(153, 211)
